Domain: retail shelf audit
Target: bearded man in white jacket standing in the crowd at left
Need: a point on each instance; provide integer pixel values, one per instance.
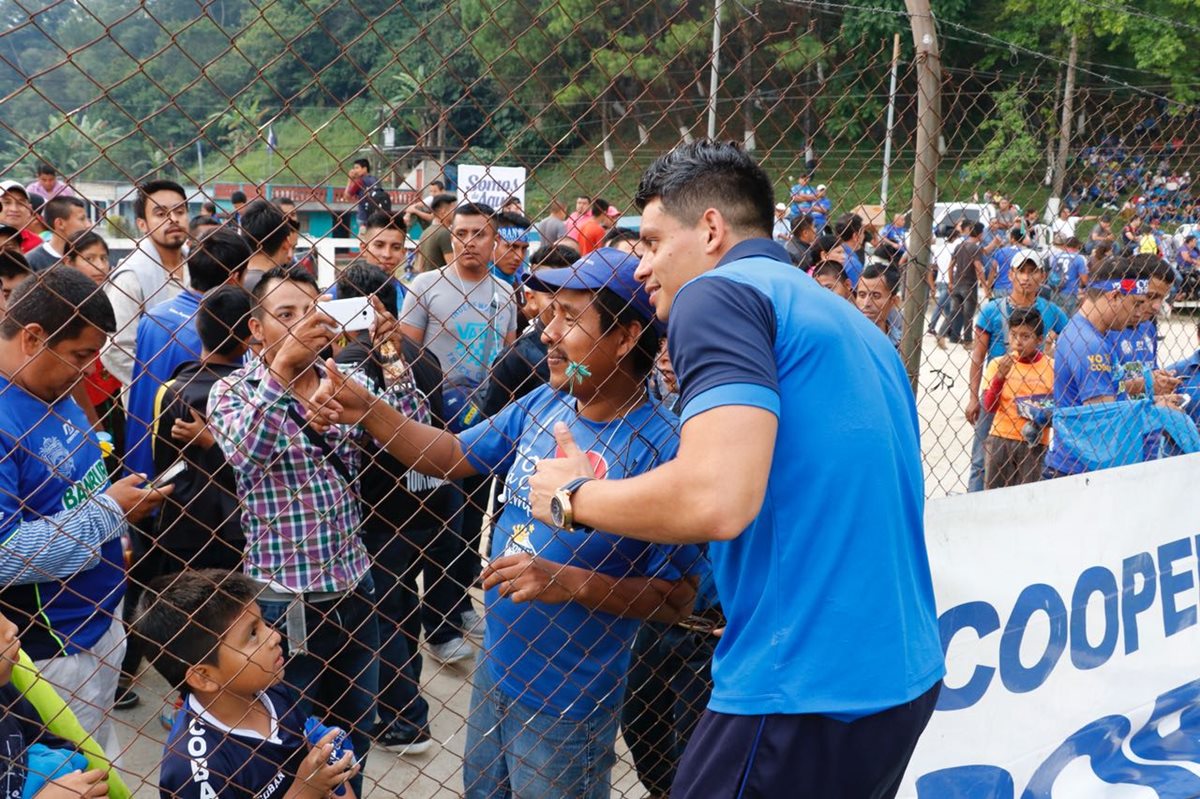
(152, 274)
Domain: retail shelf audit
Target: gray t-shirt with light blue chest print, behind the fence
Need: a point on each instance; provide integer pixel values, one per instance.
(465, 322)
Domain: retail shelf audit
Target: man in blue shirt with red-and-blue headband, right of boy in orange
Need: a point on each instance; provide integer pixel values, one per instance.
(1085, 368)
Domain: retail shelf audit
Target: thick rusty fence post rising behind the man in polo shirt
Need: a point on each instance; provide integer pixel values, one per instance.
(925, 183)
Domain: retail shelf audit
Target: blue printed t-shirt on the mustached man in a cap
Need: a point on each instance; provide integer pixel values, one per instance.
(568, 659)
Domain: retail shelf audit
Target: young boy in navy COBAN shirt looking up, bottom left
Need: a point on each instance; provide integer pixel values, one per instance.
(239, 732)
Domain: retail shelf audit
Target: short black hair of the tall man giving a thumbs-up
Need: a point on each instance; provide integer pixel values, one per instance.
(706, 175)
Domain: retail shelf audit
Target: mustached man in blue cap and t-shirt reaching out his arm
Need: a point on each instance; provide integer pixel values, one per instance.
(562, 603)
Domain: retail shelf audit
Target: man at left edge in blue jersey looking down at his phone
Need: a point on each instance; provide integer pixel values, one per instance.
(62, 566)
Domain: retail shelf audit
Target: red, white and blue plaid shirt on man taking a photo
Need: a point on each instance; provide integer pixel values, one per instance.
(301, 518)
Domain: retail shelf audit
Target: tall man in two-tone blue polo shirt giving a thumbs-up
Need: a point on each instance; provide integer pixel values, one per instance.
(831, 664)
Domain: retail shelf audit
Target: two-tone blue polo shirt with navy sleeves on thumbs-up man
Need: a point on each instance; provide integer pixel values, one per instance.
(827, 593)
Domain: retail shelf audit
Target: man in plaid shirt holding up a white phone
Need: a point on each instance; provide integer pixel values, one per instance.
(297, 476)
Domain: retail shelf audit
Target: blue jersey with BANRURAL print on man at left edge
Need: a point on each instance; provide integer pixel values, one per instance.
(51, 459)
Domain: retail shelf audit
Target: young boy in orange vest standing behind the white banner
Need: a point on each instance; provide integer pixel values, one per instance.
(1022, 373)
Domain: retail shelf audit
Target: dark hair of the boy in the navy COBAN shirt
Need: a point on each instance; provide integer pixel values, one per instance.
(183, 618)
